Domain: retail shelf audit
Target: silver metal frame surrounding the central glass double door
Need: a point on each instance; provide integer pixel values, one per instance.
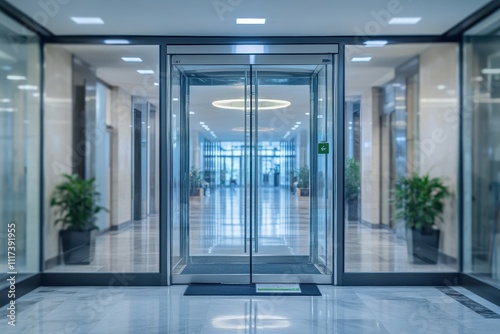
(247, 55)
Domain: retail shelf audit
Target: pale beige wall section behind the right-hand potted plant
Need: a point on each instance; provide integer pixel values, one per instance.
(438, 130)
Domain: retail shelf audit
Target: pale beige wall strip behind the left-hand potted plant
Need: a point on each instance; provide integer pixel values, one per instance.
(57, 134)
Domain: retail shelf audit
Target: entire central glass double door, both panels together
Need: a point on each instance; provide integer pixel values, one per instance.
(251, 190)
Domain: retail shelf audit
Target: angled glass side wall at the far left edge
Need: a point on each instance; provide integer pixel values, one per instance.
(19, 150)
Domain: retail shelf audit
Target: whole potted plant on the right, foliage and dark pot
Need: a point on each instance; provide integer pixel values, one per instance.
(419, 201)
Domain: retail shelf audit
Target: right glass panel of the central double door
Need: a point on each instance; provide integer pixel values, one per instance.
(292, 236)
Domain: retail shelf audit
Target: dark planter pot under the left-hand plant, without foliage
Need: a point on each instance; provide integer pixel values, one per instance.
(78, 246)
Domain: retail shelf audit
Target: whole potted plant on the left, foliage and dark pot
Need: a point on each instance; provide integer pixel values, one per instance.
(76, 202)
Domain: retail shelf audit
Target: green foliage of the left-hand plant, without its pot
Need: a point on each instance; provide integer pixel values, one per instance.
(76, 200)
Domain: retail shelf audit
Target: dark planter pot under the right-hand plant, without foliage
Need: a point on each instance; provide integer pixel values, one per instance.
(425, 245)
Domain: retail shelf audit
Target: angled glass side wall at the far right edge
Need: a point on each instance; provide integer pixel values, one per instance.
(481, 136)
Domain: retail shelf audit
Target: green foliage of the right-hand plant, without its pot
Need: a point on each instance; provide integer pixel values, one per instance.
(419, 200)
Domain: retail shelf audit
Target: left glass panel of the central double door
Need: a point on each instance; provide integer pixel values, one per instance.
(213, 169)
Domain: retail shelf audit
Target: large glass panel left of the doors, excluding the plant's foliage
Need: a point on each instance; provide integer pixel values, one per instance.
(101, 123)
